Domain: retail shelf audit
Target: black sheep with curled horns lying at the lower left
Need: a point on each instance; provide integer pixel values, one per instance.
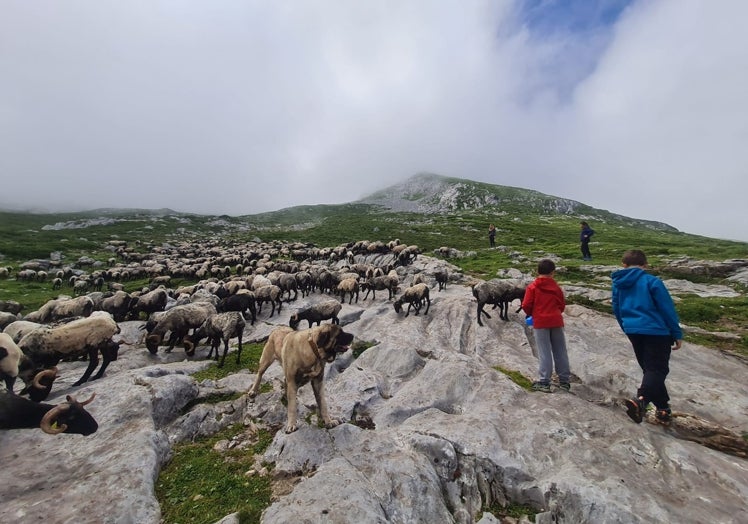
(67, 417)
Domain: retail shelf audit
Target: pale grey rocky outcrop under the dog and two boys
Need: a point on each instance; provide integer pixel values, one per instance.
(439, 430)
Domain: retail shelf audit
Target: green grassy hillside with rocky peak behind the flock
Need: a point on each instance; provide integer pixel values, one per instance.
(427, 210)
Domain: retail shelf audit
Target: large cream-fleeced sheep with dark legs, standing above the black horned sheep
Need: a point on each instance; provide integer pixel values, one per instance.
(47, 345)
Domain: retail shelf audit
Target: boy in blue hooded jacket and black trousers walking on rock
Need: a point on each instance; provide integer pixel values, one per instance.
(645, 311)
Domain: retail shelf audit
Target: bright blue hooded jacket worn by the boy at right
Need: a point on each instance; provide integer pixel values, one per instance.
(642, 304)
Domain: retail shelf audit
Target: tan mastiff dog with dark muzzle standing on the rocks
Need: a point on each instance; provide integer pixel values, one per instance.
(303, 355)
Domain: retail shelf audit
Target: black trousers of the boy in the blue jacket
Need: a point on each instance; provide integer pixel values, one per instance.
(653, 355)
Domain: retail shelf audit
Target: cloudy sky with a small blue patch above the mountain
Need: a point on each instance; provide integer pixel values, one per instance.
(238, 107)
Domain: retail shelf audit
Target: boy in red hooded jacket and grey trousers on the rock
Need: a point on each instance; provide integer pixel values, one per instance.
(544, 302)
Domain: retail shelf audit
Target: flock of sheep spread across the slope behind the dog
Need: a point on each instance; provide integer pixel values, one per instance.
(233, 284)
